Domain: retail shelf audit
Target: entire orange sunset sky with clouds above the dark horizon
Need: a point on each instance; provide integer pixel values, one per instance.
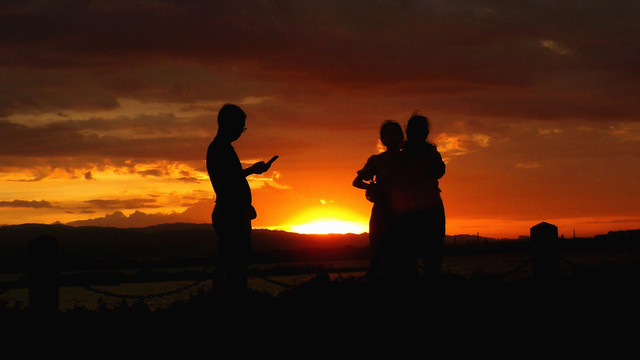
(107, 108)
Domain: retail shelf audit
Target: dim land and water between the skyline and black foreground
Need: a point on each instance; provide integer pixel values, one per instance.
(280, 261)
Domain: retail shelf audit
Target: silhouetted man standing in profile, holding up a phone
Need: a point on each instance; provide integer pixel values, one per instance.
(233, 211)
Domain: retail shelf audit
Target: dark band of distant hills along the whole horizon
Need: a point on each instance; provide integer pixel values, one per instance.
(195, 244)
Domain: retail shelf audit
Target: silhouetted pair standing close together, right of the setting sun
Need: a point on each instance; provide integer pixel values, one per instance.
(407, 218)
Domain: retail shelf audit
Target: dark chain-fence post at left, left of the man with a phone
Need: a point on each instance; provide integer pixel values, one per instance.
(43, 275)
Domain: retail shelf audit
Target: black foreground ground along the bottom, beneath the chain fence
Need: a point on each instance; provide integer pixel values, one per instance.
(591, 313)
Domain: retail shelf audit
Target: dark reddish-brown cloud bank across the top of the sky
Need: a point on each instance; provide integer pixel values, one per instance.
(89, 53)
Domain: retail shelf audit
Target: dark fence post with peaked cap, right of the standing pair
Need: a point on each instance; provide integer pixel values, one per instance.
(545, 252)
